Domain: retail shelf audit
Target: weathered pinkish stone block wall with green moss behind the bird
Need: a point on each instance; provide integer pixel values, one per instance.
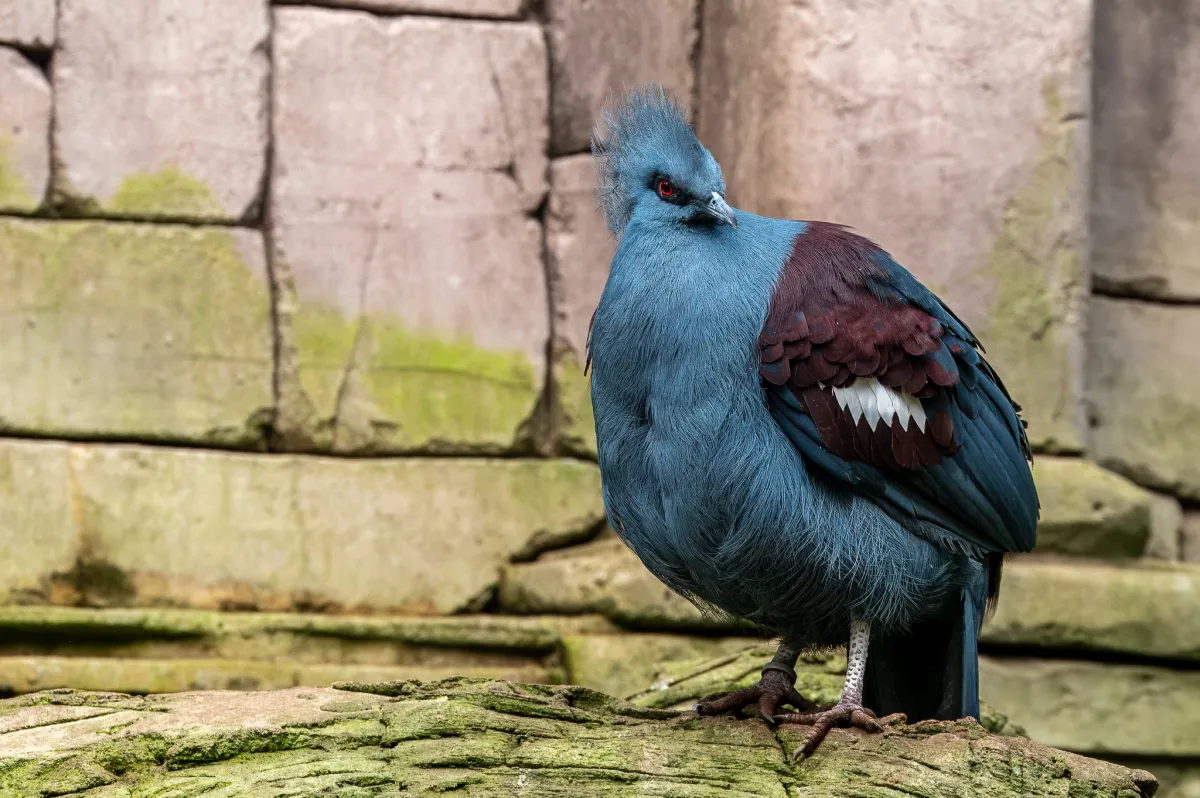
(295, 297)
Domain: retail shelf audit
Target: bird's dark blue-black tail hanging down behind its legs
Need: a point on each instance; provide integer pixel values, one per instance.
(932, 670)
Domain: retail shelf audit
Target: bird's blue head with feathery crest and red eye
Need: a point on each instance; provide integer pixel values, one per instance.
(653, 165)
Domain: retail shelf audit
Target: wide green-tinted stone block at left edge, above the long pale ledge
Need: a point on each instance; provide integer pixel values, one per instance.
(149, 332)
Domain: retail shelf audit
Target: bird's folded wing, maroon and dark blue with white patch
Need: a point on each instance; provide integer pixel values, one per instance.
(883, 388)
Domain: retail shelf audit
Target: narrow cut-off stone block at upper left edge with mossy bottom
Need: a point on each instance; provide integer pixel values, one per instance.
(25, 134)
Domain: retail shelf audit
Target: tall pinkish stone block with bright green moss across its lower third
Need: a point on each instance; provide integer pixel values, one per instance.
(410, 160)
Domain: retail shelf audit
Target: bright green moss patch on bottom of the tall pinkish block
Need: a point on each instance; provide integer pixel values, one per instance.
(387, 387)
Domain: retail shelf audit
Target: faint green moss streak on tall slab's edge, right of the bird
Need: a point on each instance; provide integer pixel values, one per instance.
(1037, 265)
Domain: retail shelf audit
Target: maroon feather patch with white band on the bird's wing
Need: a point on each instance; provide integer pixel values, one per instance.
(868, 370)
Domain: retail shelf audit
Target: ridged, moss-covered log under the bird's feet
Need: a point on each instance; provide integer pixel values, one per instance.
(479, 737)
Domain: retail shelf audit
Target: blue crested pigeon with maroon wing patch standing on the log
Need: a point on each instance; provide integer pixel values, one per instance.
(794, 431)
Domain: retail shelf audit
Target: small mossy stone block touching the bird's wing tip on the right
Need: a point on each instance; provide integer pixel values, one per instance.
(1090, 512)
